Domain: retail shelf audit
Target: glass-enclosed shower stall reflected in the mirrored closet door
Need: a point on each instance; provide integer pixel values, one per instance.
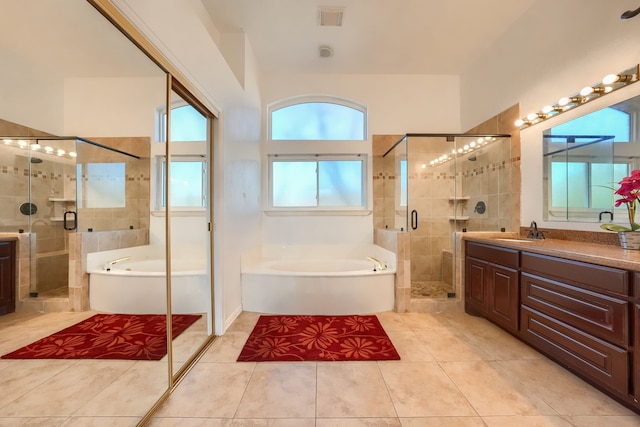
(53, 186)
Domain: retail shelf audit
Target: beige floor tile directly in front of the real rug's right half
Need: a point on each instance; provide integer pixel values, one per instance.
(352, 389)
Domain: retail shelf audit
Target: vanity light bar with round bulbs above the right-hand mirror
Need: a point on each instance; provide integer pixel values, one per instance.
(610, 83)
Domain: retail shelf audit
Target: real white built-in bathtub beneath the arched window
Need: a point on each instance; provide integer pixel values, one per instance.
(332, 280)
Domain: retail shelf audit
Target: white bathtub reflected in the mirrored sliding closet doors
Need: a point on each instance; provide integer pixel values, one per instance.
(139, 287)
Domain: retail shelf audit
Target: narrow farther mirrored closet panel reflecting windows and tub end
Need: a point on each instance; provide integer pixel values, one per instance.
(185, 200)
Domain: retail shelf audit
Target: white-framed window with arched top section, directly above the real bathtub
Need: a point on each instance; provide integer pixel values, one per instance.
(319, 162)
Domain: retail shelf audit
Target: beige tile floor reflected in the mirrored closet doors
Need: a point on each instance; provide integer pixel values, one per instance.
(70, 393)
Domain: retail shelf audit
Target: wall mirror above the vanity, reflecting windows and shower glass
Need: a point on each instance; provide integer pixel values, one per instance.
(585, 158)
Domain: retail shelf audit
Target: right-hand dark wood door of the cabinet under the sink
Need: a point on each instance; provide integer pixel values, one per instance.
(503, 300)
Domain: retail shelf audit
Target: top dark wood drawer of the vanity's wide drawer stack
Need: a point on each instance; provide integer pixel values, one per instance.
(585, 275)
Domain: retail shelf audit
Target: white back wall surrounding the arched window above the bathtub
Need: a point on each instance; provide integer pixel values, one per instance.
(396, 104)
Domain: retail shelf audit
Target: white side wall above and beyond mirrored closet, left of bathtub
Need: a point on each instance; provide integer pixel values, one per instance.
(183, 32)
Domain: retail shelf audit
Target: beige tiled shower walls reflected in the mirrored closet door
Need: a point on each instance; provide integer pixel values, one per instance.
(61, 254)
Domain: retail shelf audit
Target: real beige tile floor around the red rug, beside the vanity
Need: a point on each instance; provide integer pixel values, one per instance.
(456, 371)
